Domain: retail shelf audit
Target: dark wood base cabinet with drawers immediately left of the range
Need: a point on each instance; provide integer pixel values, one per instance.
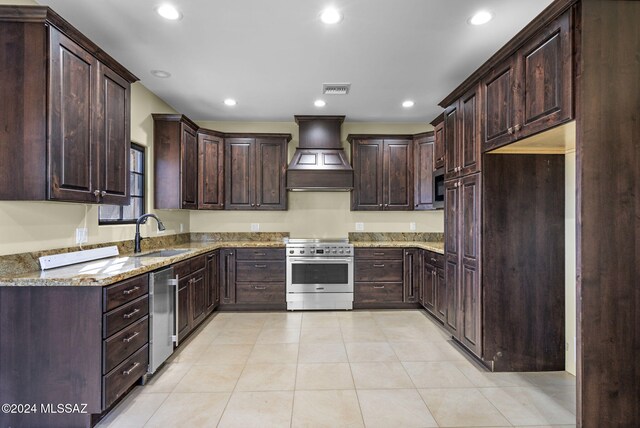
(253, 278)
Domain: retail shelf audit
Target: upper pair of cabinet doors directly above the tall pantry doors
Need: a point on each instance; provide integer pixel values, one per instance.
(462, 136)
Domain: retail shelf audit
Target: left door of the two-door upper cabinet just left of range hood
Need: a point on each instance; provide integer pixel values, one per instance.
(239, 175)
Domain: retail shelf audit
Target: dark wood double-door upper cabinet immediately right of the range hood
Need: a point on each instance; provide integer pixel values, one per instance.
(383, 172)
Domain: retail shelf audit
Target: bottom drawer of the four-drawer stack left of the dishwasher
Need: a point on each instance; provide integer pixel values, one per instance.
(118, 381)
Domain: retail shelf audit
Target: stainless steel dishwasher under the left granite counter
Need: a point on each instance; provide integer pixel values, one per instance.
(163, 314)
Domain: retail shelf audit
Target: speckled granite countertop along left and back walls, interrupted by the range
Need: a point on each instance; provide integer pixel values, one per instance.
(114, 269)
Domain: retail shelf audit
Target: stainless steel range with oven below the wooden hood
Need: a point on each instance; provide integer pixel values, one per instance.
(319, 274)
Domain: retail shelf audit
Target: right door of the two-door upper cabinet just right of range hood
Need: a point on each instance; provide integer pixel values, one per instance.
(397, 173)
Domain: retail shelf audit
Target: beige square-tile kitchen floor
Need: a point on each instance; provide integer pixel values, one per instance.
(337, 369)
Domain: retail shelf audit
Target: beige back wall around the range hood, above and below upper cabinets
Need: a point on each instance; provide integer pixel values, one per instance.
(316, 214)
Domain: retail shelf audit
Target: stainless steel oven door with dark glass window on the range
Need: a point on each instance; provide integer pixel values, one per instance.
(319, 275)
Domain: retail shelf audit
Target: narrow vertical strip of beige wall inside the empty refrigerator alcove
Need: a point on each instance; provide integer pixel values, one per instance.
(570, 260)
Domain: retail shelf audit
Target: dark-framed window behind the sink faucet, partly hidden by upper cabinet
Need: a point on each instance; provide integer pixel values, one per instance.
(116, 214)
